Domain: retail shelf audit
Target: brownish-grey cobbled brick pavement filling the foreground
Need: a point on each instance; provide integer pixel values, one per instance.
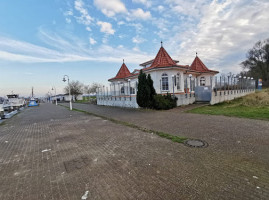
(49, 152)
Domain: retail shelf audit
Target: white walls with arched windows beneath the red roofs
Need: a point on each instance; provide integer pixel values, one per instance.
(181, 81)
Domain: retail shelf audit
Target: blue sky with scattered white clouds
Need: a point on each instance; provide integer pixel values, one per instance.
(42, 40)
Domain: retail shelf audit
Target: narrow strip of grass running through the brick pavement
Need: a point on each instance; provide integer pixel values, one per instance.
(159, 133)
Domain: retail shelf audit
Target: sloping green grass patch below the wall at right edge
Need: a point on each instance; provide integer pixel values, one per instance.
(253, 106)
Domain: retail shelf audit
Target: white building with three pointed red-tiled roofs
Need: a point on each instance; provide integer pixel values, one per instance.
(167, 76)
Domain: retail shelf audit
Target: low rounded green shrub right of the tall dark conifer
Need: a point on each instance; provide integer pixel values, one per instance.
(164, 102)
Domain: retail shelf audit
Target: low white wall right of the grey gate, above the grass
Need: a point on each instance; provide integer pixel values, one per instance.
(221, 96)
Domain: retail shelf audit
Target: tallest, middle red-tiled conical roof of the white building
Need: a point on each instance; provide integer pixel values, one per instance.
(162, 59)
